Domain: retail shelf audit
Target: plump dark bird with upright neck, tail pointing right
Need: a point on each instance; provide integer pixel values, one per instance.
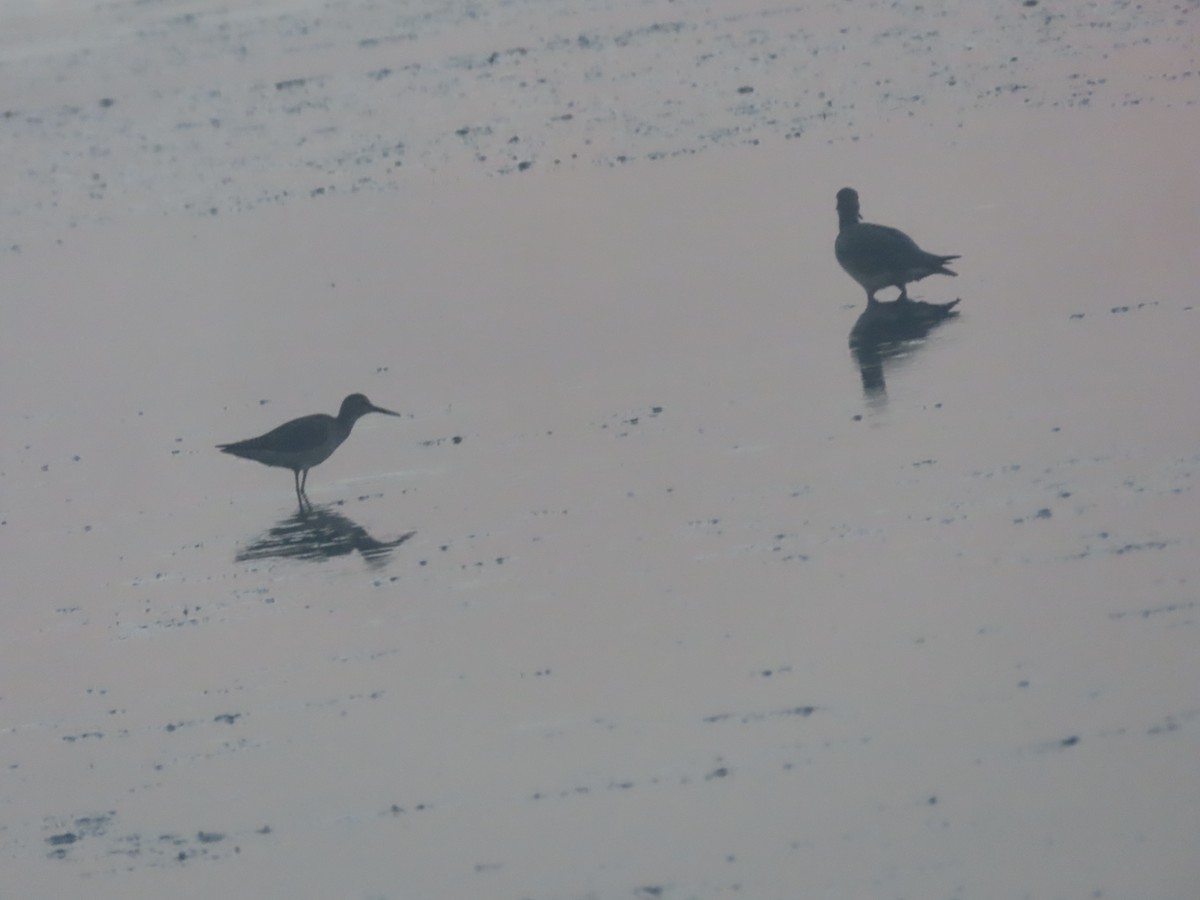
(880, 257)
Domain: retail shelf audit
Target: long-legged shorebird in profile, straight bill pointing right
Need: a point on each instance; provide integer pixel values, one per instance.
(305, 442)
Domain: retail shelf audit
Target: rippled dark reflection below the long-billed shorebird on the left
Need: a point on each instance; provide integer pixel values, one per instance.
(319, 533)
